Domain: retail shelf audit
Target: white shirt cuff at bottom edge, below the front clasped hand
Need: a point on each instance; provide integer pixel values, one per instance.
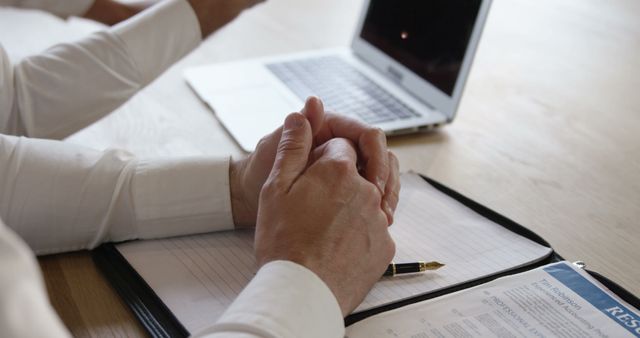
(284, 299)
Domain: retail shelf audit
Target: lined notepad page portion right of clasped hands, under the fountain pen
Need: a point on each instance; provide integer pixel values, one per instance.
(431, 226)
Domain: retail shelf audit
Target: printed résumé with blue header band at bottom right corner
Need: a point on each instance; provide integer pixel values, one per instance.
(558, 300)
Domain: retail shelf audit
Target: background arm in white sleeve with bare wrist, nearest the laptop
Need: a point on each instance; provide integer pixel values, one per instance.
(72, 85)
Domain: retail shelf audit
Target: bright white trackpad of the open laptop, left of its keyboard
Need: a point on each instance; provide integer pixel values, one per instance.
(251, 112)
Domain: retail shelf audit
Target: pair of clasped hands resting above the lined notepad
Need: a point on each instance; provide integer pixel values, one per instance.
(321, 191)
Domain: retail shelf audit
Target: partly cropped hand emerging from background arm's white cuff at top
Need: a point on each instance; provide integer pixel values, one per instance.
(213, 14)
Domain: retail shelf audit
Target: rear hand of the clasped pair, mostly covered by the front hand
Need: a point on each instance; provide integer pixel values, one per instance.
(376, 163)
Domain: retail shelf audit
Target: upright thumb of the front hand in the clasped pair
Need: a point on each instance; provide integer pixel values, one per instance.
(293, 151)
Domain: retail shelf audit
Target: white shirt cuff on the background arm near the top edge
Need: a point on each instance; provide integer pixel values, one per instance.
(159, 36)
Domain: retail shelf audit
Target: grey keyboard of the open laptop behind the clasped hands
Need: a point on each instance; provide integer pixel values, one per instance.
(341, 87)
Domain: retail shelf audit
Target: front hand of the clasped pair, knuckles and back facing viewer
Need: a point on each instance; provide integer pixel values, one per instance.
(324, 215)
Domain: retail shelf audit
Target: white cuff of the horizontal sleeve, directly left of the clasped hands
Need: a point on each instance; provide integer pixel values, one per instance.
(175, 197)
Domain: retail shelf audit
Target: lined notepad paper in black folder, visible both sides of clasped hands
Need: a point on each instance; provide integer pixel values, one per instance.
(197, 277)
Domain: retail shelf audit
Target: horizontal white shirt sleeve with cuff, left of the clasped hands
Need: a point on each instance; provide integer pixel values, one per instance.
(61, 197)
